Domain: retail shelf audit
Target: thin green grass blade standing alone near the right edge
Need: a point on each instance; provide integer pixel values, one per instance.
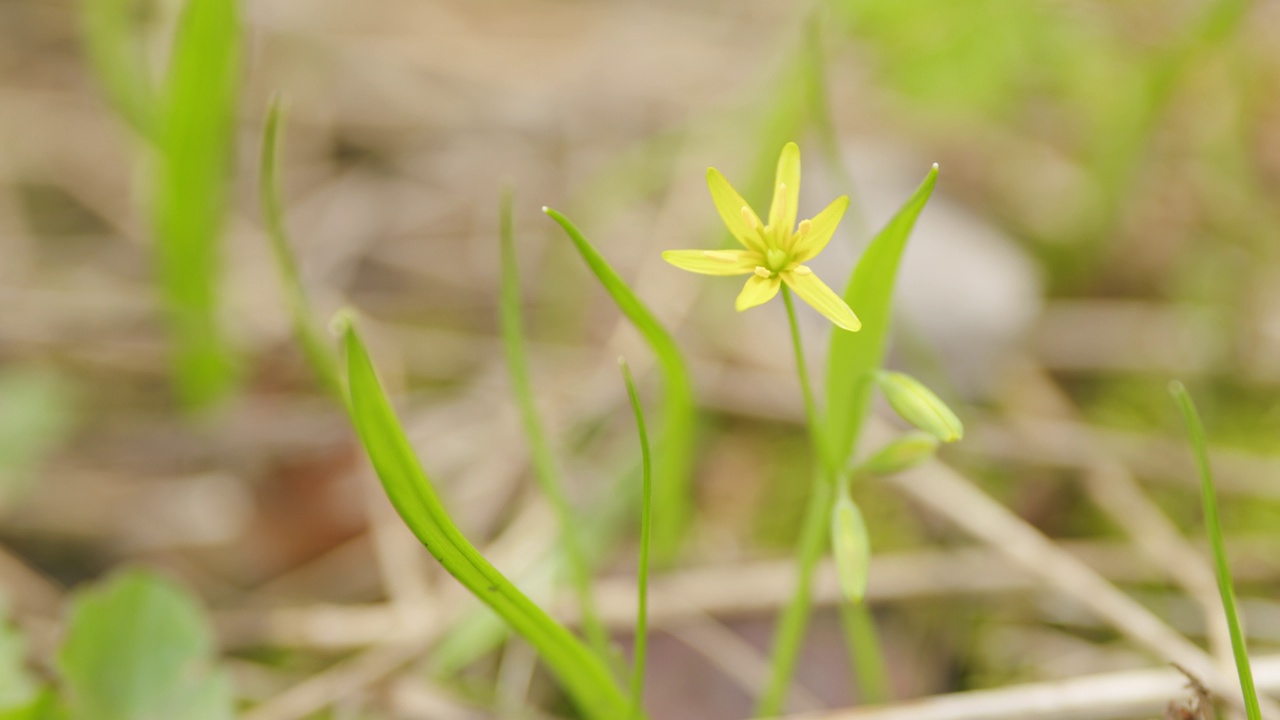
(1214, 525)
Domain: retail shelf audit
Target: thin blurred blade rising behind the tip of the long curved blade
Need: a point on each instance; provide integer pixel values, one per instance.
(317, 348)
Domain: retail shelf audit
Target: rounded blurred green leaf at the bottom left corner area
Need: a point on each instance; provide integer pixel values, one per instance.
(139, 648)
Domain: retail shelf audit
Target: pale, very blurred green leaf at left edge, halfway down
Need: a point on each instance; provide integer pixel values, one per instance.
(36, 417)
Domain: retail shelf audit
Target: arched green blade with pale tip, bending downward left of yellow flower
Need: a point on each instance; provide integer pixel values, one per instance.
(676, 440)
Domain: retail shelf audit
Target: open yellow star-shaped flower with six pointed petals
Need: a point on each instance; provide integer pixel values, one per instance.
(775, 253)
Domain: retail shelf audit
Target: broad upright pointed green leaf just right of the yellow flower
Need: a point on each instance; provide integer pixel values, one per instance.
(856, 357)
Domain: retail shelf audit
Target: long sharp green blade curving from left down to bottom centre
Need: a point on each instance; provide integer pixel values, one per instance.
(584, 676)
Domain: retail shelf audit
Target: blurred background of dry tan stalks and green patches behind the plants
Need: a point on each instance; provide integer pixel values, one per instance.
(1105, 221)
